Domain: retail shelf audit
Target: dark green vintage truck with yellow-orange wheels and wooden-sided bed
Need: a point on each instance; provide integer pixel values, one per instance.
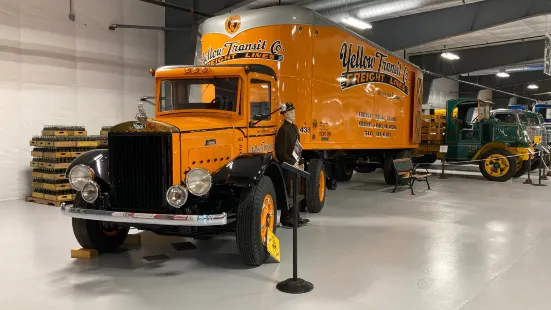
(500, 149)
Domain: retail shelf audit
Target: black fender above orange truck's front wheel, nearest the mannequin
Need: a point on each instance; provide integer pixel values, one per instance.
(246, 170)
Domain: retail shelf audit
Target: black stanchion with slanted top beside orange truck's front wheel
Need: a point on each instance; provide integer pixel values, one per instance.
(295, 285)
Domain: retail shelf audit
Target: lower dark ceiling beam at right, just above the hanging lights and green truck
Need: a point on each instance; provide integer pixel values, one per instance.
(476, 59)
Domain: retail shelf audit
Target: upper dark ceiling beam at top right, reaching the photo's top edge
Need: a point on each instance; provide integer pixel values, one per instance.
(412, 30)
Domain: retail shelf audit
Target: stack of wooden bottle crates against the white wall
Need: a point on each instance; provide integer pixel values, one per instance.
(52, 154)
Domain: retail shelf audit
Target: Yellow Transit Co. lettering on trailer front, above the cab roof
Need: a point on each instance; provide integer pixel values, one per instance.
(234, 50)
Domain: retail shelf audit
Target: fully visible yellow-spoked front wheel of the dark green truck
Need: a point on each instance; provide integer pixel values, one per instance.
(503, 168)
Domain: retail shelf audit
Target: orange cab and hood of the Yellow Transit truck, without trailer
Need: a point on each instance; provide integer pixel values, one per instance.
(203, 164)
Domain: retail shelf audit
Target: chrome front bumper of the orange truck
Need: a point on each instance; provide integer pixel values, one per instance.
(146, 218)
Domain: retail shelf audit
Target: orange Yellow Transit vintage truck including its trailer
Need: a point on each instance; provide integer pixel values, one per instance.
(205, 162)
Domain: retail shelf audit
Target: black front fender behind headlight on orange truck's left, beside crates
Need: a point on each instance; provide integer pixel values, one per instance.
(98, 160)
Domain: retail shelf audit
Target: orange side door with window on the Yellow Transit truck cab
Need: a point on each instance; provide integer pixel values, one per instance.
(262, 124)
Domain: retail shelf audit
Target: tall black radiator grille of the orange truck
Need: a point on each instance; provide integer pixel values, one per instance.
(140, 170)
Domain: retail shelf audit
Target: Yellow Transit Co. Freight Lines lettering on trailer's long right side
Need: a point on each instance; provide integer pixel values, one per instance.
(360, 68)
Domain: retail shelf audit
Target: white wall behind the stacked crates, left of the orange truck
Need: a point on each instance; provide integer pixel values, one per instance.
(56, 71)
